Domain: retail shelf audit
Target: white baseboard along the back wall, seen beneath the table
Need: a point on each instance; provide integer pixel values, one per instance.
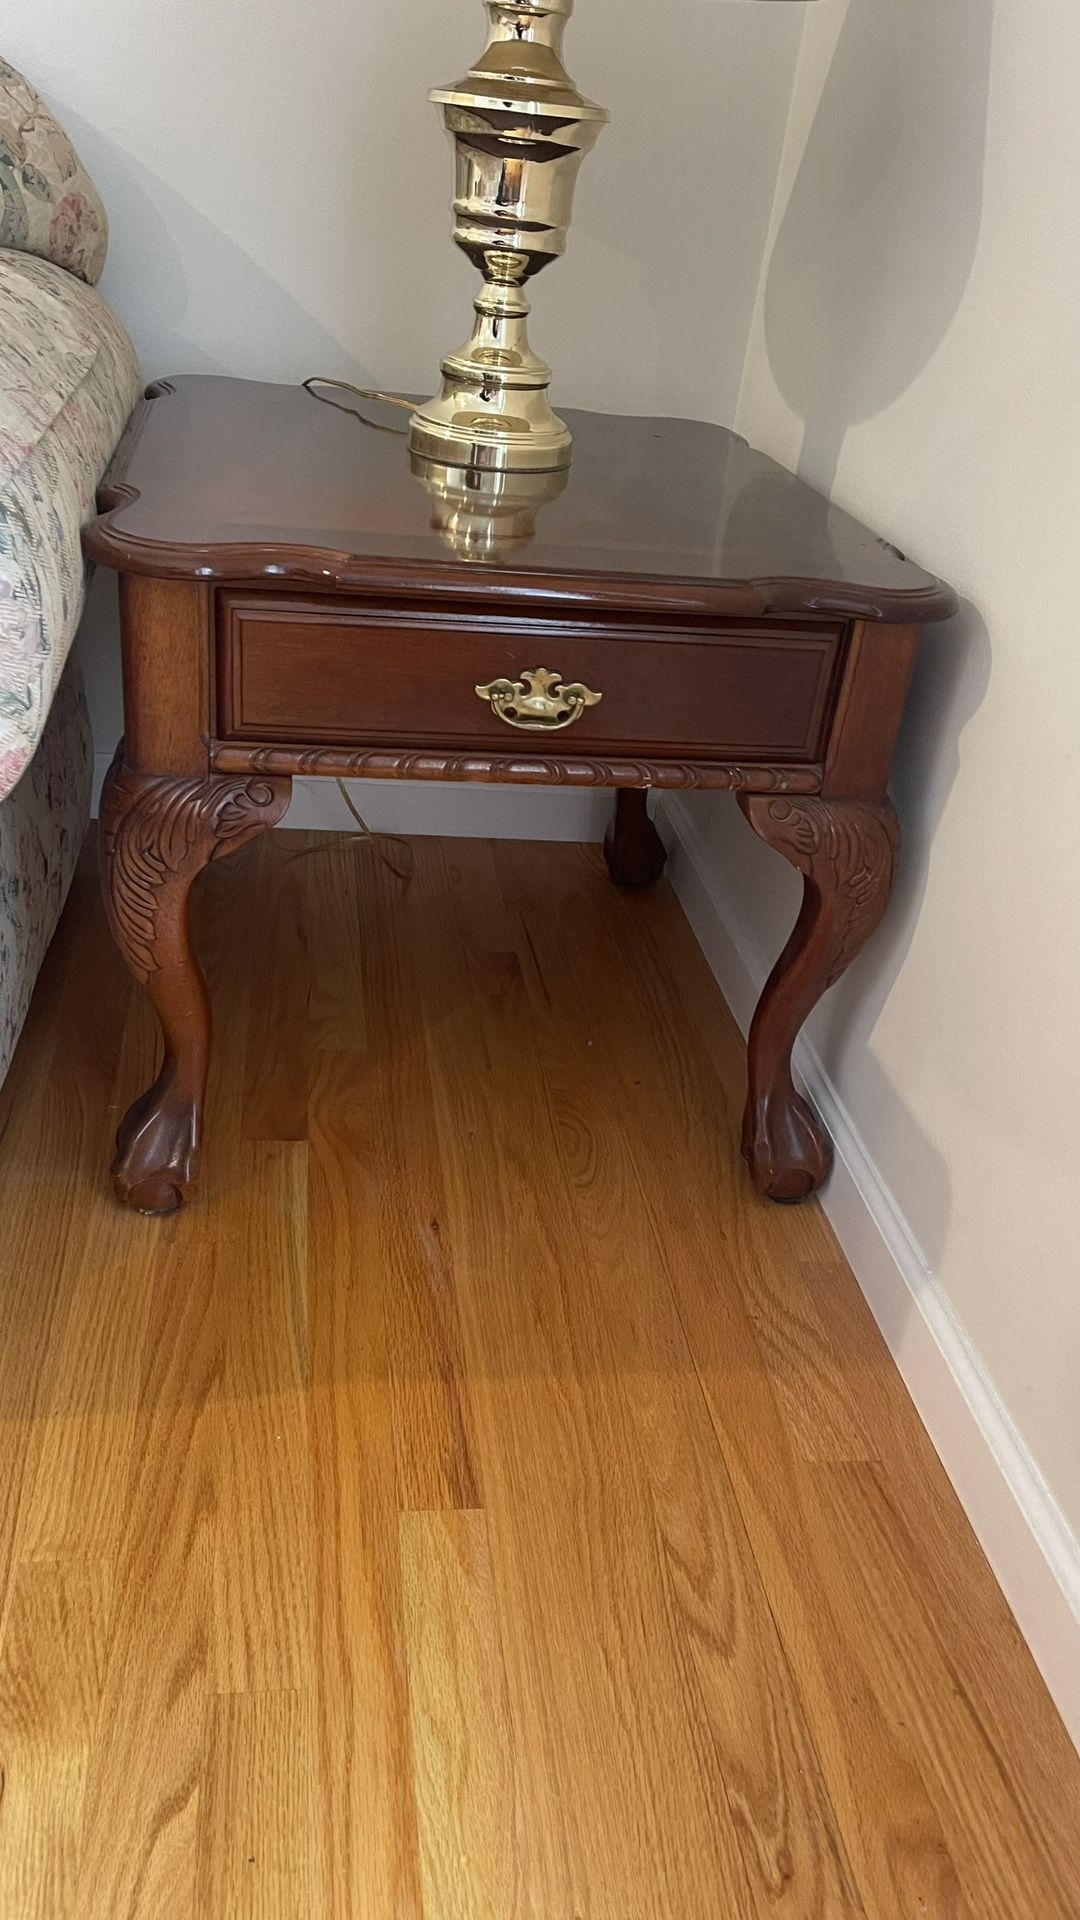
(441, 807)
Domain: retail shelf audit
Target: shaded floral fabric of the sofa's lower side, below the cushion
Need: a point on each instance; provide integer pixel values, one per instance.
(41, 830)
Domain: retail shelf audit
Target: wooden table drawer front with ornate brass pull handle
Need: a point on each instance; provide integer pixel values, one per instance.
(328, 675)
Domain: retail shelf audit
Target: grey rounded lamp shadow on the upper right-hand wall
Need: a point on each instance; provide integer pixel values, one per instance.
(881, 229)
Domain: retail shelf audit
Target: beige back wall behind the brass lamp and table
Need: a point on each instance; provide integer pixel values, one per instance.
(280, 201)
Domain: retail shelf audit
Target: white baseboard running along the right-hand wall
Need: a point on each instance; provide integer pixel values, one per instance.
(1019, 1525)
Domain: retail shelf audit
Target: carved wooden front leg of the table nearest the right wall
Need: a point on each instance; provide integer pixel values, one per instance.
(847, 852)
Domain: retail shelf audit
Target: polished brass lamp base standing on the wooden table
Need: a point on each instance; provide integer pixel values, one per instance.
(520, 132)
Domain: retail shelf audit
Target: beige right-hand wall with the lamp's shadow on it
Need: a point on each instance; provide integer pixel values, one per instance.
(918, 352)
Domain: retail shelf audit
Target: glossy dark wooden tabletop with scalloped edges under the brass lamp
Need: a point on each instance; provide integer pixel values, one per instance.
(245, 481)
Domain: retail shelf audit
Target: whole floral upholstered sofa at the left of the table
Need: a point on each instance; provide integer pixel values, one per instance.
(68, 383)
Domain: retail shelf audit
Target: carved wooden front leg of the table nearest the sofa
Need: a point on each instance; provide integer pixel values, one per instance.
(157, 834)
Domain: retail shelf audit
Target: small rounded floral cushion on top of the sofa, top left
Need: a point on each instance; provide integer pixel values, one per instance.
(49, 203)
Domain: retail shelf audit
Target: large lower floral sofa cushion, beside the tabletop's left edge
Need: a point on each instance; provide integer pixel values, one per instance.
(68, 383)
